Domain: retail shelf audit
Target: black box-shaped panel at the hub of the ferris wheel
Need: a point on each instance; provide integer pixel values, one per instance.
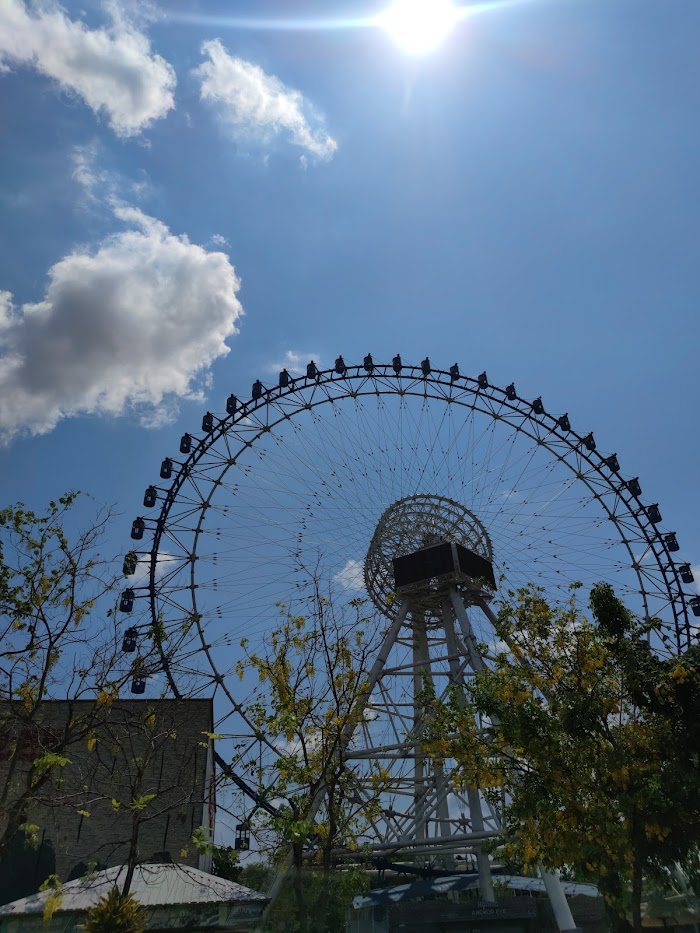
(445, 562)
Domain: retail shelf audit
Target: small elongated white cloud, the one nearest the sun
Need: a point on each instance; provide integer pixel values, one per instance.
(257, 106)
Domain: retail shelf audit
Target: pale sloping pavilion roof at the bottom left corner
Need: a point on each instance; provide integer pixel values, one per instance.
(155, 885)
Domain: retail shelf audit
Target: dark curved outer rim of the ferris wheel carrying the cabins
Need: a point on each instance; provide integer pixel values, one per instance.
(525, 417)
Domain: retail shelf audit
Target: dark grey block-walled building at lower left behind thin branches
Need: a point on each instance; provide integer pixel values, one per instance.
(137, 776)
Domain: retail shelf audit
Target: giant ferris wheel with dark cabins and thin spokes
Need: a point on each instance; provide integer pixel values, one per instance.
(426, 491)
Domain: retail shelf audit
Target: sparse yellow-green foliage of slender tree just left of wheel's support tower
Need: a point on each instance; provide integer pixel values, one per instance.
(312, 683)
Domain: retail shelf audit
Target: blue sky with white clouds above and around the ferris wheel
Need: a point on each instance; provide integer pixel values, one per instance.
(196, 193)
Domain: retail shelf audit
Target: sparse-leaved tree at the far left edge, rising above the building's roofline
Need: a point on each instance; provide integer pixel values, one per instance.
(51, 583)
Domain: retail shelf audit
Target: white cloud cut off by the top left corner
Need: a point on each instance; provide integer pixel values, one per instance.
(112, 69)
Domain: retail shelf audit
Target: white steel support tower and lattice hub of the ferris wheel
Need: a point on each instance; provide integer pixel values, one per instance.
(436, 558)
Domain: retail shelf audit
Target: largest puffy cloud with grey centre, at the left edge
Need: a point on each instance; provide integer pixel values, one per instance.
(131, 325)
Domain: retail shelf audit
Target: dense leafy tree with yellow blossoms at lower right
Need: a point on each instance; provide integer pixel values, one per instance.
(589, 737)
